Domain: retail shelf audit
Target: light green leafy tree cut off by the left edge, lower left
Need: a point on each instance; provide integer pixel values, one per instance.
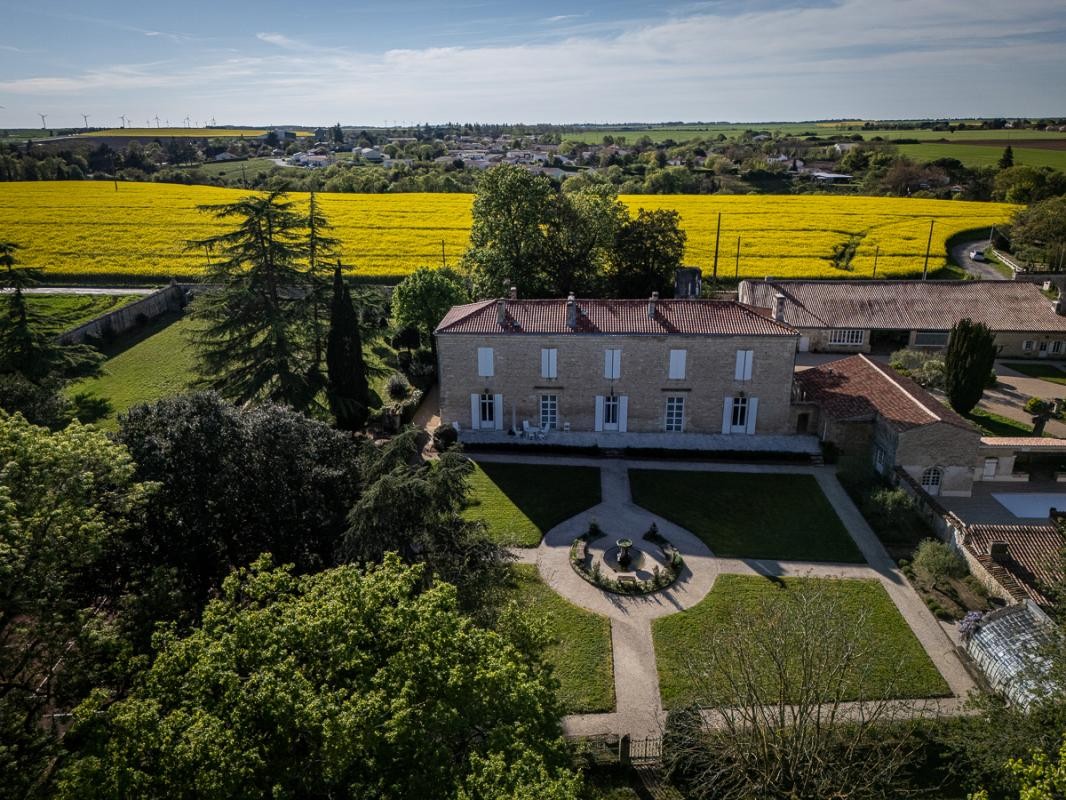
(66, 499)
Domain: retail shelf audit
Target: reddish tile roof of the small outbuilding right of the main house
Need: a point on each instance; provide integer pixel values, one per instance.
(857, 389)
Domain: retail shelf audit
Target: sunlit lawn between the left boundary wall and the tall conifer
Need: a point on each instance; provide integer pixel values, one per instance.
(157, 366)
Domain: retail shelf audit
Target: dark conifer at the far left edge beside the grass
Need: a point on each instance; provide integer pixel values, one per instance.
(35, 367)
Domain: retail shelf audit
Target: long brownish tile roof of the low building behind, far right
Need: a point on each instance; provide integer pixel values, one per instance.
(908, 306)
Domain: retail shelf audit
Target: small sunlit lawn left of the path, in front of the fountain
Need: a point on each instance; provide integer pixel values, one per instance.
(580, 652)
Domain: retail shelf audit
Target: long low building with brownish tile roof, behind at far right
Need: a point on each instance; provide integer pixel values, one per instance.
(863, 316)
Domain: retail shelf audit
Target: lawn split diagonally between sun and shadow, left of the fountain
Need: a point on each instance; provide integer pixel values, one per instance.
(521, 503)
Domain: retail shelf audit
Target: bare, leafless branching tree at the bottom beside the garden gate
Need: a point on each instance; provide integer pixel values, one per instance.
(794, 705)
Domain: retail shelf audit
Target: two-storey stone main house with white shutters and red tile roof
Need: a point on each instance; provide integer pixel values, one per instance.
(618, 371)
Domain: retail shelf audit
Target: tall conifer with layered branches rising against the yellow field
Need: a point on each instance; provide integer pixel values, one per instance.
(260, 338)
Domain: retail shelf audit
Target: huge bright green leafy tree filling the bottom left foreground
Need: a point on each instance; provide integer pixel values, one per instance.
(348, 683)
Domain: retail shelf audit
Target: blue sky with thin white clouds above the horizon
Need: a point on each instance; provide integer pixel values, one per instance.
(413, 61)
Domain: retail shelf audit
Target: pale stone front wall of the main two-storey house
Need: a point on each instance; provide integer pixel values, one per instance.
(644, 378)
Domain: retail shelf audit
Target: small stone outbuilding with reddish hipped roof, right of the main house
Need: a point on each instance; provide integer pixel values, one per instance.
(865, 408)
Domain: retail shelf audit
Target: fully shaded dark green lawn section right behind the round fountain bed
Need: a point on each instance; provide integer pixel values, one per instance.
(749, 516)
